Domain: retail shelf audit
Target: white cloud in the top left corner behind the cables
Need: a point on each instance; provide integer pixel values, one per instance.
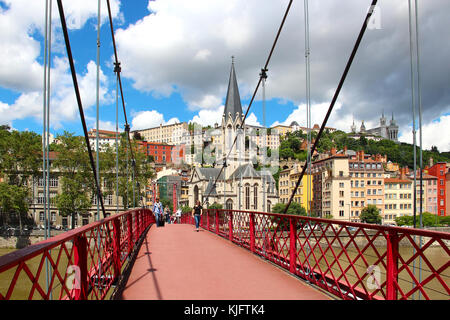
(20, 51)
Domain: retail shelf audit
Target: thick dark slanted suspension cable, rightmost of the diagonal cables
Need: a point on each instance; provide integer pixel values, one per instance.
(336, 95)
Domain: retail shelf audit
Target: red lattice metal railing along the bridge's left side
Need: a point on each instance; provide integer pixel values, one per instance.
(84, 263)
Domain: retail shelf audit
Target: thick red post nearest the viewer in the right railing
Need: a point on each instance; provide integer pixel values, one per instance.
(392, 255)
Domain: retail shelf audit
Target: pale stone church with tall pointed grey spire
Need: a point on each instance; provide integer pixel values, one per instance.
(232, 181)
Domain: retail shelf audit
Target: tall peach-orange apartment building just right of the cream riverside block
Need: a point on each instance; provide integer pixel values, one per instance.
(367, 187)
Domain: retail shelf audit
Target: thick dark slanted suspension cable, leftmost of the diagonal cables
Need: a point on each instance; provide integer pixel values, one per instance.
(80, 106)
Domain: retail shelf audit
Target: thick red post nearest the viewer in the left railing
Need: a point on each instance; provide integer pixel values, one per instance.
(80, 260)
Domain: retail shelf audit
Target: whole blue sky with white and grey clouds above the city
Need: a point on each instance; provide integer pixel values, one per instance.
(176, 58)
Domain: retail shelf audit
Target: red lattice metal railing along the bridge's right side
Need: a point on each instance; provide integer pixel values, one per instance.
(349, 260)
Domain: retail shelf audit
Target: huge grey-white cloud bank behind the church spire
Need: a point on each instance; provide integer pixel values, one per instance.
(185, 47)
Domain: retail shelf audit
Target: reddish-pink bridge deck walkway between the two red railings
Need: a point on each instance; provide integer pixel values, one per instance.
(177, 263)
